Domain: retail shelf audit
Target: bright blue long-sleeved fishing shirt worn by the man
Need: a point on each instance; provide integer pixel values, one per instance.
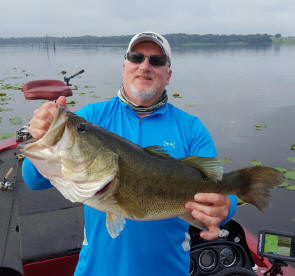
(143, 248)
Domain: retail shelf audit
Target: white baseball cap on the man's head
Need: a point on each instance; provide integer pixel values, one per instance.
(151, 36)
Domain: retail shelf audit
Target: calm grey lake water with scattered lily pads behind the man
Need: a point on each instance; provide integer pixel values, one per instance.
(229, 89)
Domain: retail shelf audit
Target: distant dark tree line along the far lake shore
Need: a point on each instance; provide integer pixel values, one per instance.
(179, 39)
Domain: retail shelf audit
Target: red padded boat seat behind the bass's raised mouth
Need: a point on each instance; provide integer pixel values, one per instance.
(46, 89)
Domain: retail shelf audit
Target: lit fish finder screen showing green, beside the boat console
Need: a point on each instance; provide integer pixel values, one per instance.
(278, 245)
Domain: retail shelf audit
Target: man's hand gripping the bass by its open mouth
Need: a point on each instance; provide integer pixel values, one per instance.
(43, 117)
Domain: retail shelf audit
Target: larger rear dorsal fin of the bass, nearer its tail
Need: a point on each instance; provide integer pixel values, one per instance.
(210, 167)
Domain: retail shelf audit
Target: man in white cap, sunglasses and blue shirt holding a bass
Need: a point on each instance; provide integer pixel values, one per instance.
(142, 115)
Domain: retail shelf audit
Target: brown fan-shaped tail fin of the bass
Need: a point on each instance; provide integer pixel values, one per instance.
(256, 183)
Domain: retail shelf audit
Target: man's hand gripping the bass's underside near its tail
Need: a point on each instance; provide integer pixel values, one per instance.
(211, 209)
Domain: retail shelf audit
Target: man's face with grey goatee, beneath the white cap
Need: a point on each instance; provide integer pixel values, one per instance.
(144, 83)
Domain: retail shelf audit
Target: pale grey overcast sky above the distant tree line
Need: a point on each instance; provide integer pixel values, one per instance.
(110, 17)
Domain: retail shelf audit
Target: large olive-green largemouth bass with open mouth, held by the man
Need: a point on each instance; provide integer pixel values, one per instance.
(91, 165)
